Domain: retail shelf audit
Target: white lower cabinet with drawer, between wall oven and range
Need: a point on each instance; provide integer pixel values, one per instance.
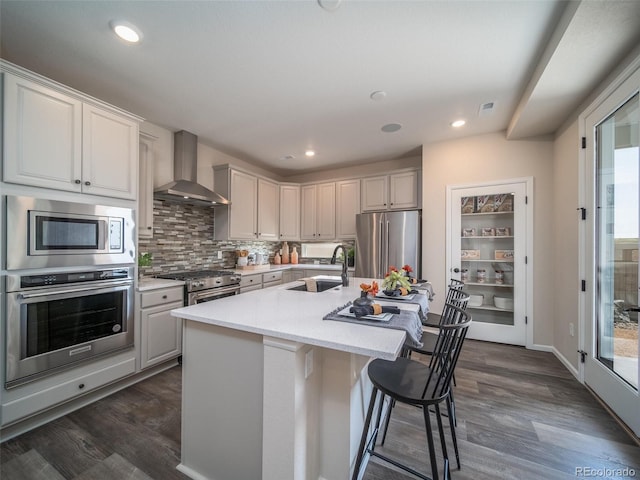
(160, 333)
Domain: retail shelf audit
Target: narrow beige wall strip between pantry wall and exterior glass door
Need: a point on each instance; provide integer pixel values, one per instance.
(566, 283)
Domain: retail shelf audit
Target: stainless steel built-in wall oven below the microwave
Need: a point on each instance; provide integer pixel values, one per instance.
(55, 320)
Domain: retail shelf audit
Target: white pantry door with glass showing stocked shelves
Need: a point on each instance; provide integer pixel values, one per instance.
(488, 236)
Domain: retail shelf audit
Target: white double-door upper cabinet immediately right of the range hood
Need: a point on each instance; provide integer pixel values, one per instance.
(253, 213)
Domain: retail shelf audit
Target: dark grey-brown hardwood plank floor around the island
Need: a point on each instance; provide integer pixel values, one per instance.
(521, 415)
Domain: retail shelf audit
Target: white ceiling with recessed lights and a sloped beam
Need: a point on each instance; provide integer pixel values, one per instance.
(264, 79)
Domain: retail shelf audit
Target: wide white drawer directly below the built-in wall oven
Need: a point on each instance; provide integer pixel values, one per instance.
(49, 397)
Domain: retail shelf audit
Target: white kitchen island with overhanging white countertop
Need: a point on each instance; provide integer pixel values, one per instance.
(272, 391)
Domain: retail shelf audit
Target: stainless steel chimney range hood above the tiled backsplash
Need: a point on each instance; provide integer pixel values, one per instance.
(184, 188)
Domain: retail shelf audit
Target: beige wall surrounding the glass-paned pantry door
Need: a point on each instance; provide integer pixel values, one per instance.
(482, 159)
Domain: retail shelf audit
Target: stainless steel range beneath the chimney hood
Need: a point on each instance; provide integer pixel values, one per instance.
(206, 285)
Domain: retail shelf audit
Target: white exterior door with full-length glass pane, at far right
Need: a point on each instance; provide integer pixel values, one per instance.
(611, 244)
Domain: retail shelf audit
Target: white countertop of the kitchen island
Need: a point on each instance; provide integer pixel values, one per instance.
(297, 316)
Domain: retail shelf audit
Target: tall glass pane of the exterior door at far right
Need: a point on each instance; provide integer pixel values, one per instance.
(617, 233)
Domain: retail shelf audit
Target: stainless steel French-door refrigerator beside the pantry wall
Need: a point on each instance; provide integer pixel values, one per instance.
(388, 238)
